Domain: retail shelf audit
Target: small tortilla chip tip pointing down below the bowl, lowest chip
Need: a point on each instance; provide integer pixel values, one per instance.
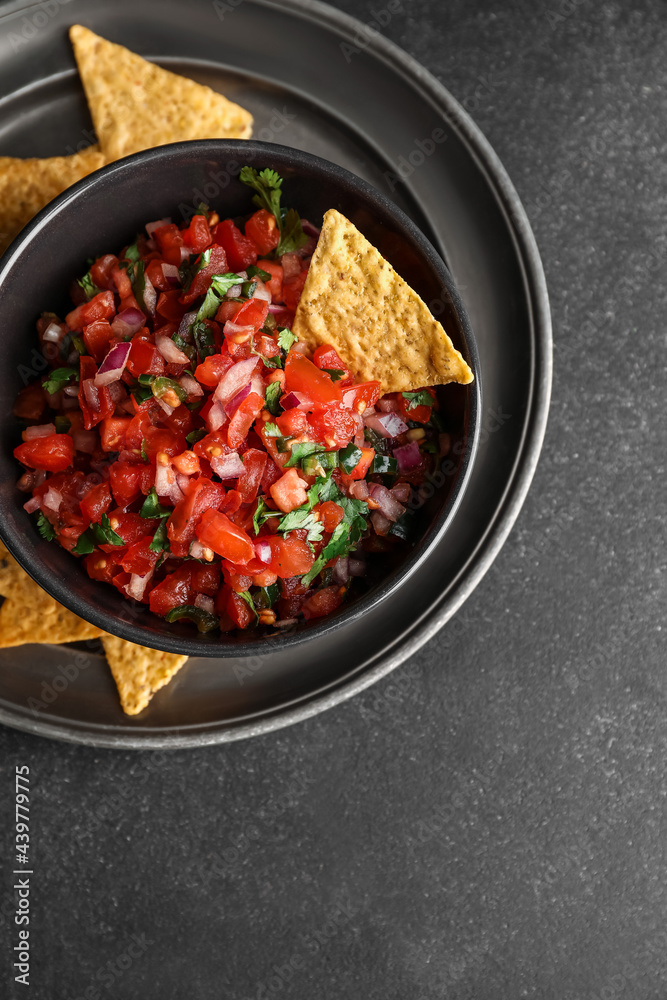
(139, 671)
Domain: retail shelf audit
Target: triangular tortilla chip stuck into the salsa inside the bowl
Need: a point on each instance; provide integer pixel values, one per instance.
(354, 299)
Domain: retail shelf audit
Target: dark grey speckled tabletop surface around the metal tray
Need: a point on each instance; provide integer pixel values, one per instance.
(489, 821)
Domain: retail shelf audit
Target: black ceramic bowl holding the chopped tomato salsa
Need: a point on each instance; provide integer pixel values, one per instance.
(102, 213)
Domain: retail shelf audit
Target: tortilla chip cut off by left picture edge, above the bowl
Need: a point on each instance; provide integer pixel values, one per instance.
(26, 186)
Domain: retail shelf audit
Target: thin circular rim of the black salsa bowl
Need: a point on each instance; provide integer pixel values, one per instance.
(25, 554)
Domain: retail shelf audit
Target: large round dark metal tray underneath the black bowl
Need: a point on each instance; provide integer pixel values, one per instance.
(358, 100)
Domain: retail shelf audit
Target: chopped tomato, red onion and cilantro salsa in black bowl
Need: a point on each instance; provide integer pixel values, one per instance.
(183, 445)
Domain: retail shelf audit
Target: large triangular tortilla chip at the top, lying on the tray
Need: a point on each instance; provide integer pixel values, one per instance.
(136, 104)
